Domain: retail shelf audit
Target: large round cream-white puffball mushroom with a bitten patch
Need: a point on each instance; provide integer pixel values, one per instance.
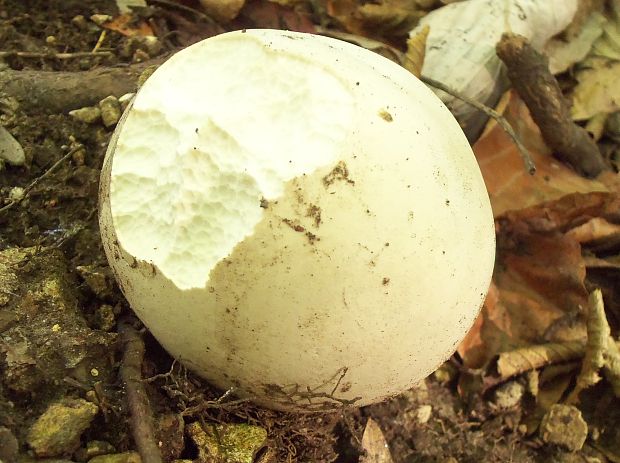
(297, 218)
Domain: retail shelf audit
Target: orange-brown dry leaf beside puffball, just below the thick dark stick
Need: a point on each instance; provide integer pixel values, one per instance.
(510, 186)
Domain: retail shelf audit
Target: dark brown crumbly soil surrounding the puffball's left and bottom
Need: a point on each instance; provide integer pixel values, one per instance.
(68, 323)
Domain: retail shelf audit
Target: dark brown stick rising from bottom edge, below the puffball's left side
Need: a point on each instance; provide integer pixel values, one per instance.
(141, 418)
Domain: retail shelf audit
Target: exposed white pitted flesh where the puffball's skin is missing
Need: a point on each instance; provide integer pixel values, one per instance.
(192, 162)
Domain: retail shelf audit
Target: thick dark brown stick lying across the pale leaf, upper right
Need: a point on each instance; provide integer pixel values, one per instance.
(529, 74)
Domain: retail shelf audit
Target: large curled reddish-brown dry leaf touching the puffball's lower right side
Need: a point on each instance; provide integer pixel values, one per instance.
(538, 284)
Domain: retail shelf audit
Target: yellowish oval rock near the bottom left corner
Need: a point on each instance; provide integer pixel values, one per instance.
(57, 431)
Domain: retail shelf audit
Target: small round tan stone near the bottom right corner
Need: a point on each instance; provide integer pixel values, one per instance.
(563, 425)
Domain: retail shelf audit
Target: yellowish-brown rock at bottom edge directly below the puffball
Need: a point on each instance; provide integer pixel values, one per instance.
(231, 443)
